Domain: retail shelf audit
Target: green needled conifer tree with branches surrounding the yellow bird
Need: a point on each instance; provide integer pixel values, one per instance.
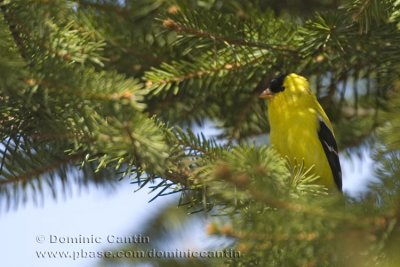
(92, 91)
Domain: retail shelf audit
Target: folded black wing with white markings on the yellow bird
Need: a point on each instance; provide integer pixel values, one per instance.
(328, 142)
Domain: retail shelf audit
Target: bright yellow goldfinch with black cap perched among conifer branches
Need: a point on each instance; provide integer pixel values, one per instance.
(300, 129)
